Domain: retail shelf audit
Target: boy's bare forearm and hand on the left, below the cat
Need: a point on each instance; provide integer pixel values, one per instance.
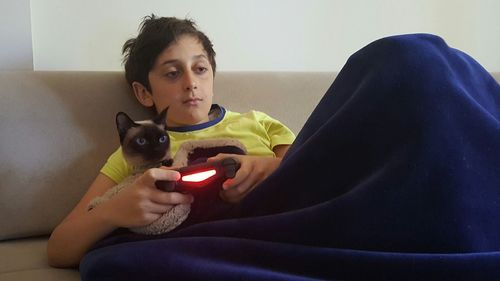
(137, 205)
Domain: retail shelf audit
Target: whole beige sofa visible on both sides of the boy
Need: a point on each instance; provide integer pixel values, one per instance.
(57, 129)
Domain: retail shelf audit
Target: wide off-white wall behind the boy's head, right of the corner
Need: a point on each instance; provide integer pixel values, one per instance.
(293, 35)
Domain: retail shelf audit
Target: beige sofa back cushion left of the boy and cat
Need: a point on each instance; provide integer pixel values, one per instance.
(55, 135)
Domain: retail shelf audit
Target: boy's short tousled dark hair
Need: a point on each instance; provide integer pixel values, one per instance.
(156, 34)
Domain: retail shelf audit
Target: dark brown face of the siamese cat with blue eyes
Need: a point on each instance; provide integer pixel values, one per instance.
(143, 142)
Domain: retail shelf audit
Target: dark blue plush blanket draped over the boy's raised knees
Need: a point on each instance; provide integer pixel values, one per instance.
(395, 176)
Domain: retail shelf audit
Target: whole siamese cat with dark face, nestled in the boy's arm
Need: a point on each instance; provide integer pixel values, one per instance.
(145, 144)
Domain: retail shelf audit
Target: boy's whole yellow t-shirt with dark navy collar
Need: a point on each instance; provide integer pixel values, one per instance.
(257, 131)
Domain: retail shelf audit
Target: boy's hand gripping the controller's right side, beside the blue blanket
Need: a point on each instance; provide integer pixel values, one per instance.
(253, 170)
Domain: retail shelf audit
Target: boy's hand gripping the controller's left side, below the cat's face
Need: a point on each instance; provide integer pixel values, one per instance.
(142, 203)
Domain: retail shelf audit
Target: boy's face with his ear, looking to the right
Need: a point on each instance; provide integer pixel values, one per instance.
(182, 79)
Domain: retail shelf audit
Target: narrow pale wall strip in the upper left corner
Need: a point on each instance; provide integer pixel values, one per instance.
(15, 34)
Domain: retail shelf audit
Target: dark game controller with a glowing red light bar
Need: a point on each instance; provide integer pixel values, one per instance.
(199, 177)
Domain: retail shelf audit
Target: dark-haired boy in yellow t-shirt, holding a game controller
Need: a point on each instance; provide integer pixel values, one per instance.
(170, 64)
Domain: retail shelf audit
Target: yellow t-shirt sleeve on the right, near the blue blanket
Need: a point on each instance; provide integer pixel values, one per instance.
(278, 133)
